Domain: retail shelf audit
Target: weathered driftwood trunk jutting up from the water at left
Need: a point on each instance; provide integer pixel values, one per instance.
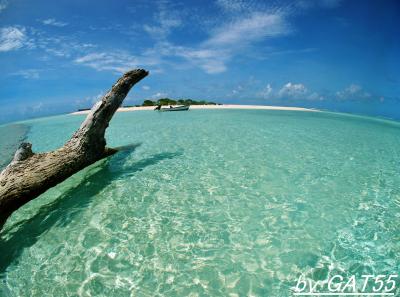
(30, 174)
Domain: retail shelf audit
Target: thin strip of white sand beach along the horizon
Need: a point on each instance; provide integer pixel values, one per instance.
(222, 106)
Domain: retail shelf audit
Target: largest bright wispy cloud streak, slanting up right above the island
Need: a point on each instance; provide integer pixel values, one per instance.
(227, 41)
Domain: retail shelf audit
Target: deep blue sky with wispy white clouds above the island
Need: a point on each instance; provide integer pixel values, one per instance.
(58, 56)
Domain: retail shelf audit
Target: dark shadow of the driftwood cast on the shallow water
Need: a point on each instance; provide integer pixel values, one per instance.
(62, 211)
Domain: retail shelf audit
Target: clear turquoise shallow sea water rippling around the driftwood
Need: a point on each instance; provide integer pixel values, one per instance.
(211, 203)
